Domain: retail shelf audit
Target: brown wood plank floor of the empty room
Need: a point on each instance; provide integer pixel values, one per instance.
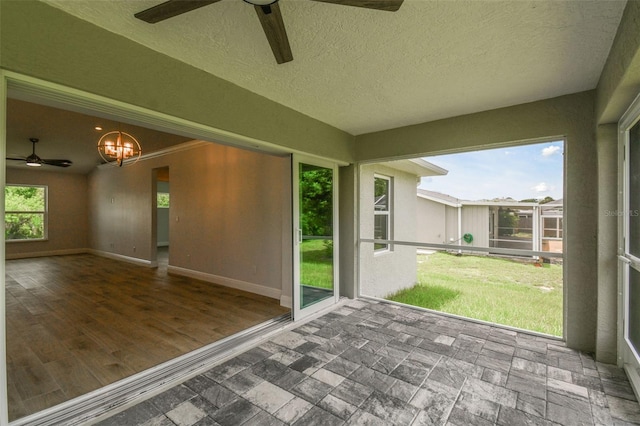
(77, 323)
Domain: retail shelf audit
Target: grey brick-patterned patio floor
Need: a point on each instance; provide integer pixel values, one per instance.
(370, 363)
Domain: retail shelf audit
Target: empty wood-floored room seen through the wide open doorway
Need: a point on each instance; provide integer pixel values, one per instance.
(104, 264)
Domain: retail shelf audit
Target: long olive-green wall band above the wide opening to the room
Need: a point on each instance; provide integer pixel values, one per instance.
(32, 43)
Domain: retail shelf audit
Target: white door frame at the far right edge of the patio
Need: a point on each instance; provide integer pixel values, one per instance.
(628, 357)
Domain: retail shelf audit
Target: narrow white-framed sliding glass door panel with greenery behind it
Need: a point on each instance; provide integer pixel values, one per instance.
(315, 235)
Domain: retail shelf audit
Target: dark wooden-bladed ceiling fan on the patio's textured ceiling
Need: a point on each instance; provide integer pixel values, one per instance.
(268, 13)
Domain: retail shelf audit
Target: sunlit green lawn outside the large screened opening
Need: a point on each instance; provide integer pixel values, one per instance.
(497, 290)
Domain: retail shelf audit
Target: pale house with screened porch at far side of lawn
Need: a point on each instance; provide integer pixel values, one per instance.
(443, 219)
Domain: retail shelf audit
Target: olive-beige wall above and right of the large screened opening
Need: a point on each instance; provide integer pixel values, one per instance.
(570, 117)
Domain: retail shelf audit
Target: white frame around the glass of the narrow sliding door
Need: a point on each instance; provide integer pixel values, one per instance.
(298, 312)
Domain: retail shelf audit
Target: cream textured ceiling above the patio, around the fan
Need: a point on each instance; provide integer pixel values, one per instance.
(363, 70)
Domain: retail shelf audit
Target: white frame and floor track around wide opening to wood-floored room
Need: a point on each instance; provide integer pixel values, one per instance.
(97, 403)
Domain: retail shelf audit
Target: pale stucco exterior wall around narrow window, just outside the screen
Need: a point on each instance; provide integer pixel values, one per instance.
(382, 274)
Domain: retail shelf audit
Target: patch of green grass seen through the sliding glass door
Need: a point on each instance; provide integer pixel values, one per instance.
(316, 266)
